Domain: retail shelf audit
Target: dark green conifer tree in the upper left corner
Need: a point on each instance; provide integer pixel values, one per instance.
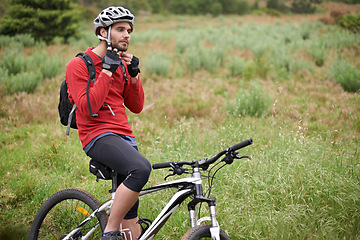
(43, 19)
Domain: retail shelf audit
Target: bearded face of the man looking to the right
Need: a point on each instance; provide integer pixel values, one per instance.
(120, 35)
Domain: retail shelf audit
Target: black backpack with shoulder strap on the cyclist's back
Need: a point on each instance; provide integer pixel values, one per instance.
(65, 108)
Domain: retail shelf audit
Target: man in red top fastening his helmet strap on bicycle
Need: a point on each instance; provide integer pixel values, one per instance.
(107, 136)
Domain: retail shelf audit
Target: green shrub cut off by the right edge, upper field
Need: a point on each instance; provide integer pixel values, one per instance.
(346, 74)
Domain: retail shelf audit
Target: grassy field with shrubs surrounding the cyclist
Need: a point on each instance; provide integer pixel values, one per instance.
(209, 83)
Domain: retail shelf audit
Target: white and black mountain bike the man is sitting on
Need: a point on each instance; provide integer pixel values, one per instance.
(76, 214)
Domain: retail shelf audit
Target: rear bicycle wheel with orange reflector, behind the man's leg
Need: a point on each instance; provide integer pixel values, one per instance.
(63, 212)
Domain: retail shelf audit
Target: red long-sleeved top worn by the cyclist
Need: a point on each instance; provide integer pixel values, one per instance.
(113, 91)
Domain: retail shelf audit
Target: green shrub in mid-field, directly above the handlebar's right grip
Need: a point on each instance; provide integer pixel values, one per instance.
(250, 102)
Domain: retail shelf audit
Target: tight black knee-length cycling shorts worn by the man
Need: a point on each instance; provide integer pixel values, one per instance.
(133, 168)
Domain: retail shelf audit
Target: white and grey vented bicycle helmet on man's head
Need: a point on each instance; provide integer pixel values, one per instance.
(112, 15)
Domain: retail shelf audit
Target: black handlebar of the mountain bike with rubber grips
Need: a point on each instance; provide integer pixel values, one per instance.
(205, 161)
